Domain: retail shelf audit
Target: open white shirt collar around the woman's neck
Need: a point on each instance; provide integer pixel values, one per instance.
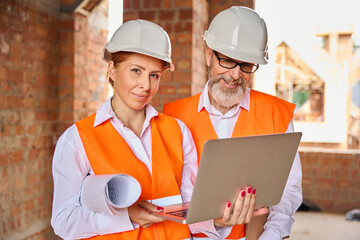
(106, 112)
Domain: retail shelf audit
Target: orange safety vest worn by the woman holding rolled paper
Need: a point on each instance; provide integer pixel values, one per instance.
(108, 153)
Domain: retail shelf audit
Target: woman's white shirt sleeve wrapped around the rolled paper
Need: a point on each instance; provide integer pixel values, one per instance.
(71, 220)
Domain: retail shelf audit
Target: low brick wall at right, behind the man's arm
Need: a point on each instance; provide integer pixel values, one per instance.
(331, 179)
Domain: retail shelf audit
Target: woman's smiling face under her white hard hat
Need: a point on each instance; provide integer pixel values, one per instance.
(136, 80)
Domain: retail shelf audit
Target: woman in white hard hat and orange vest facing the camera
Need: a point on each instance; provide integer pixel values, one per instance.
(127, 135)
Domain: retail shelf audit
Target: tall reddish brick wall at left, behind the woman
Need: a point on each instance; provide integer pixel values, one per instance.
(45, 81)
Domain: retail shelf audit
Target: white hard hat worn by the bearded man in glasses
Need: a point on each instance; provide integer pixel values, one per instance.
(239, 33)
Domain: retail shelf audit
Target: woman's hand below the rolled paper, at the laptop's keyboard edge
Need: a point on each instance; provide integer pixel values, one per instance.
(139, 213)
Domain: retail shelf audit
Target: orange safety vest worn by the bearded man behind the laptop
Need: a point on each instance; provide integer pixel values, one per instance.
(267, 115)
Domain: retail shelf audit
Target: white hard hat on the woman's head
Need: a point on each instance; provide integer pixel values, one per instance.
(140, 36)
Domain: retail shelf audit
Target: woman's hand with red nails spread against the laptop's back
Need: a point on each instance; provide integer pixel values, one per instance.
(243, 210)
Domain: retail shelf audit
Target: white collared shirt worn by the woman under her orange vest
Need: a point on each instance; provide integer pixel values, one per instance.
(70, 219)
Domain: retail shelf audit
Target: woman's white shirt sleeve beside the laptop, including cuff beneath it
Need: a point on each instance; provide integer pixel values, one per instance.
(190, 167)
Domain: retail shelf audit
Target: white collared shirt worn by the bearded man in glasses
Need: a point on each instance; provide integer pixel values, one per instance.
(280, 219)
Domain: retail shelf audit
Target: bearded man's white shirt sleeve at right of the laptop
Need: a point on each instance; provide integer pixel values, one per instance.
(280, 220)
